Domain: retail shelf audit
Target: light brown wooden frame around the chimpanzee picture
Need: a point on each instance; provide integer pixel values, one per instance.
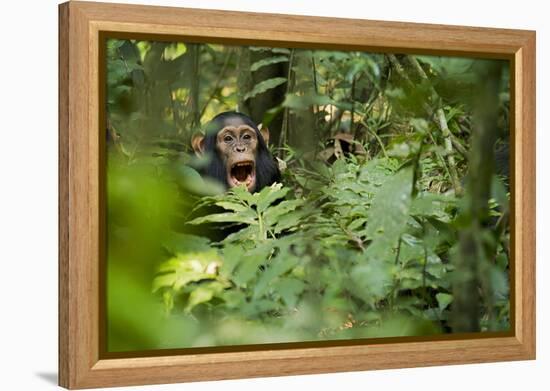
(81, 363)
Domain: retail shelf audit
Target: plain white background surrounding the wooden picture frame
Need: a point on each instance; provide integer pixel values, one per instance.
(28, 194)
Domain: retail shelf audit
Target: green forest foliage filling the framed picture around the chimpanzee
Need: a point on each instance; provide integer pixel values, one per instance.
(391, 218)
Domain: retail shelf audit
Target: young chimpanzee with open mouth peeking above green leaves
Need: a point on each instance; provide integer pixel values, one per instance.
(238, 152)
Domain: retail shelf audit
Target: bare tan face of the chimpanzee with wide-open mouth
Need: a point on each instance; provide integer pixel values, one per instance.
(237, 147)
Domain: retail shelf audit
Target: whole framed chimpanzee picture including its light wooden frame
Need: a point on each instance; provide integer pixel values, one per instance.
(255, 195)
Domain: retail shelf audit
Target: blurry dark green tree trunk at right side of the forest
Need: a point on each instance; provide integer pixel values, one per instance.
(472, 256)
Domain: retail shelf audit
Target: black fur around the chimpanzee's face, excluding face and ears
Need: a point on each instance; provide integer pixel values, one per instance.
(267, 170)
